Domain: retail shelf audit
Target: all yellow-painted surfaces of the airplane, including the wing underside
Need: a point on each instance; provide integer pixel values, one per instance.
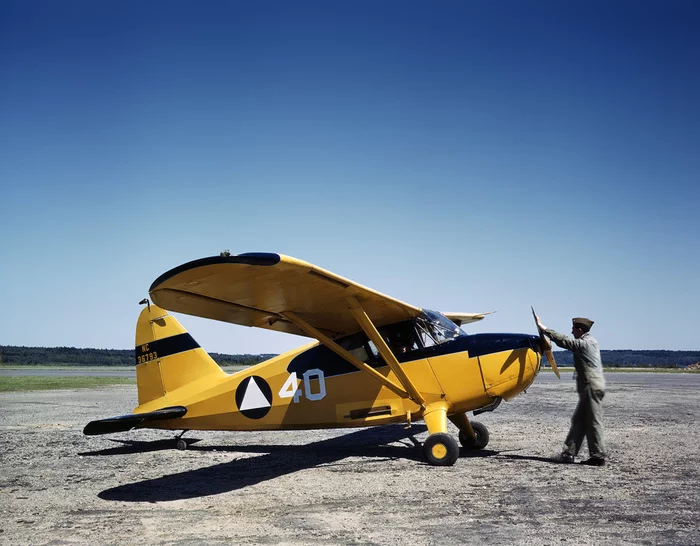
(297, 297)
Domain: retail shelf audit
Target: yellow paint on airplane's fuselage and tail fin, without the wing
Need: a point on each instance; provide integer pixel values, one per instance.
(450, 385)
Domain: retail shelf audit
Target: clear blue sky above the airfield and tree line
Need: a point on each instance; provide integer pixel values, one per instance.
(460, 156)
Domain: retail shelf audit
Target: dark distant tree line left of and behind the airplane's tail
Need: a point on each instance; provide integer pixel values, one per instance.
(71, 356)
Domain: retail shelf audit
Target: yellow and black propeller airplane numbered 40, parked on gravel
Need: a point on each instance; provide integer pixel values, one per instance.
(375, 360)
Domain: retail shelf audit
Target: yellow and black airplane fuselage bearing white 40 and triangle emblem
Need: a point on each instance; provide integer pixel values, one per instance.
(313, 387)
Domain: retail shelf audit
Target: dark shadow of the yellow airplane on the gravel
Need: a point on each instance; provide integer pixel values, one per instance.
(274, 461)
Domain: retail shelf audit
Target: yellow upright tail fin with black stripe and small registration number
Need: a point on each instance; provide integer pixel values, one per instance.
(167, 357)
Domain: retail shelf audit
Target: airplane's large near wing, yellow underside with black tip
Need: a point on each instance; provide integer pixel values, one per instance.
(256, 289)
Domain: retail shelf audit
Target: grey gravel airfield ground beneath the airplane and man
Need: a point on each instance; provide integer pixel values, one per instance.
(358, 486)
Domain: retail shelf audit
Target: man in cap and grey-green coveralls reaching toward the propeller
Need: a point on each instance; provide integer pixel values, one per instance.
(587, 421)
